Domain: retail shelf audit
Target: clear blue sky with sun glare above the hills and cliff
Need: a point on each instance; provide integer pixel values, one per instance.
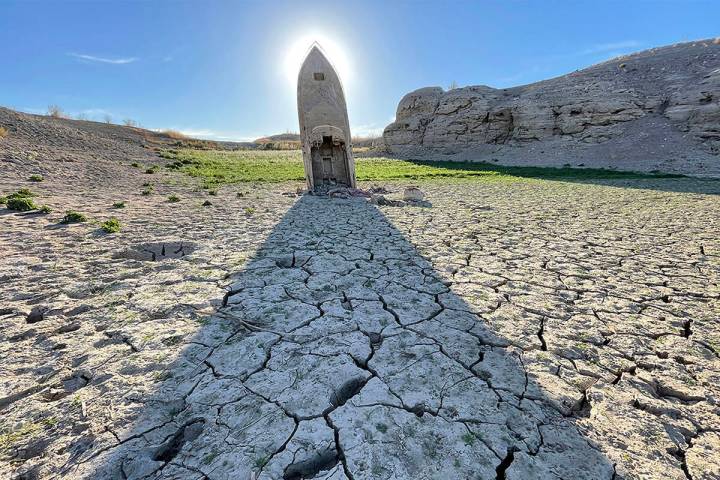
(221, 69)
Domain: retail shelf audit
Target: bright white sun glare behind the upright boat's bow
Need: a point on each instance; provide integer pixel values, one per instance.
(334, 51)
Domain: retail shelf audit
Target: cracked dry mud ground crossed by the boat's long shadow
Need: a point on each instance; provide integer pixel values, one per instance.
(513, 330)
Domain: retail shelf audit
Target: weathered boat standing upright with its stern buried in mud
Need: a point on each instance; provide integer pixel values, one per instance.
(324, 125)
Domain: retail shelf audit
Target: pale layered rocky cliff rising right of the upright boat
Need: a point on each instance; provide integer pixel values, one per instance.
(654, 110)
